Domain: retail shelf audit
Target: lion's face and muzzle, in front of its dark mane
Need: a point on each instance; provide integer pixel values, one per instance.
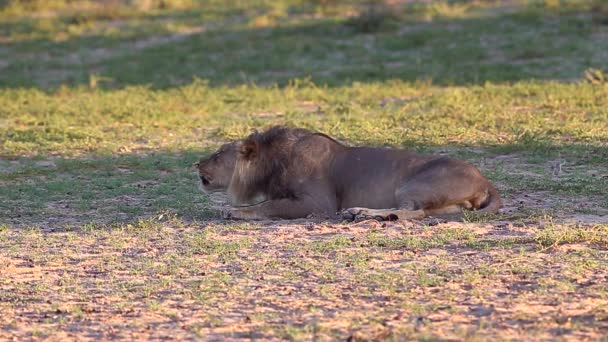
(216, 170)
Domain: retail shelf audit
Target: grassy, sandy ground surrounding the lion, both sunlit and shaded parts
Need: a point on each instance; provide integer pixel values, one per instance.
(104, 108)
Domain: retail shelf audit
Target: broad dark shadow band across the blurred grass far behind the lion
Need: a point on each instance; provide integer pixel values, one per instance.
(516, 46)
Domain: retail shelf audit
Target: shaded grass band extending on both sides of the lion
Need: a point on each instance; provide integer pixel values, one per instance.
(73, 192)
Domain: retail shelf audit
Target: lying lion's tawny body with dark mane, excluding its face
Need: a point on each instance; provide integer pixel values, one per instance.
(310, 173)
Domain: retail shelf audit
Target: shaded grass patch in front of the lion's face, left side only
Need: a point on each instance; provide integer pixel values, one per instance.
(60, 192)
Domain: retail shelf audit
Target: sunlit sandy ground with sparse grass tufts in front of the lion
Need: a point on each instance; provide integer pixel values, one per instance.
(300, 279)
